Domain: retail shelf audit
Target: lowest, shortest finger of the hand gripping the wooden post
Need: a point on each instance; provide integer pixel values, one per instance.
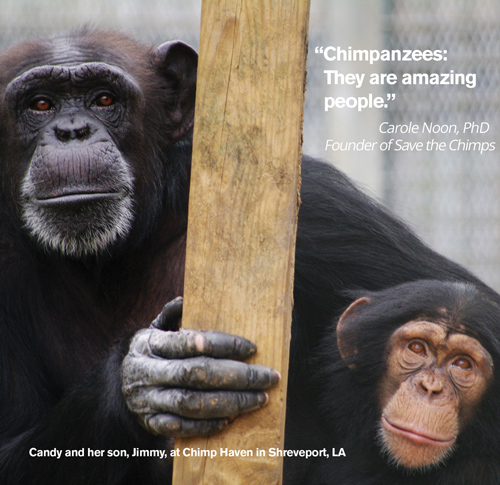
(171, 425)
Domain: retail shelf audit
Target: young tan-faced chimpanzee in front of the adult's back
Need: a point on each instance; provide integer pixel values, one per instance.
(413, 368)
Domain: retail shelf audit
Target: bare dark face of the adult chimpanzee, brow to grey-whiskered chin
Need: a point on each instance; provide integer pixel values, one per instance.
(77, 191)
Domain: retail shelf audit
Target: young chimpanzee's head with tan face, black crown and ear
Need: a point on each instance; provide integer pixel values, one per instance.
(435, 374)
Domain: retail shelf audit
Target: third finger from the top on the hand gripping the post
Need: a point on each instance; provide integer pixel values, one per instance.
(195, 404)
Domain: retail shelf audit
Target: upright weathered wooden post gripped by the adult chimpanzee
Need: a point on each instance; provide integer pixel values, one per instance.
(243, 212)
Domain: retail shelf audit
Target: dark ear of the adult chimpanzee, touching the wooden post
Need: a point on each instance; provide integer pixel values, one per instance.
(176, 63)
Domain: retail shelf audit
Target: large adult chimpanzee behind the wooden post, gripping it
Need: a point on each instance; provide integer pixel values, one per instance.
(95, 158)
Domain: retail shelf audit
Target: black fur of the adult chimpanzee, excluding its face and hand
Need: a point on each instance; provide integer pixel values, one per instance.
(65, 324)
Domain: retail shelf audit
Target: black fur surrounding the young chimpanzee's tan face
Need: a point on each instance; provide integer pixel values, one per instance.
(349, 410)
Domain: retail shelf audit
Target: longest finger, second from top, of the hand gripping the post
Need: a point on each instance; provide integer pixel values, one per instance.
(197, 373)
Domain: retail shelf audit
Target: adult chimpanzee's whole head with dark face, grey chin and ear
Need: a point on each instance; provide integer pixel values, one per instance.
(80, 159)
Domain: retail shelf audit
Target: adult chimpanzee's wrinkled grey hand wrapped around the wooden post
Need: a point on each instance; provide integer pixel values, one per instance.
(181, 383)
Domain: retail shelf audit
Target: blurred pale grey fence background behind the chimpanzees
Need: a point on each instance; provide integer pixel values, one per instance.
(451, 199)
